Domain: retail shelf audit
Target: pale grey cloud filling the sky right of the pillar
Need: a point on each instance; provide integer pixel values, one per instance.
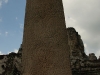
(84, 16)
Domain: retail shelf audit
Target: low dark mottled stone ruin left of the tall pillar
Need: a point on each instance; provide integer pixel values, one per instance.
(11, 64)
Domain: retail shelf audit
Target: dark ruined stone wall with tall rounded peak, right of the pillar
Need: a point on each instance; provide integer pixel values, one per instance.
(81, 63)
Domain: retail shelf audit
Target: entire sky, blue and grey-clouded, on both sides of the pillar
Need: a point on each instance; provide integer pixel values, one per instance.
(83, 15)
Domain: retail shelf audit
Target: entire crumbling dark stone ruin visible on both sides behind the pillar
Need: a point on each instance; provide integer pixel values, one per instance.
(81, 64)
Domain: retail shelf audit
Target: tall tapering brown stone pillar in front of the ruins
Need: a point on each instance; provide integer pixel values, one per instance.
(45, 47)
